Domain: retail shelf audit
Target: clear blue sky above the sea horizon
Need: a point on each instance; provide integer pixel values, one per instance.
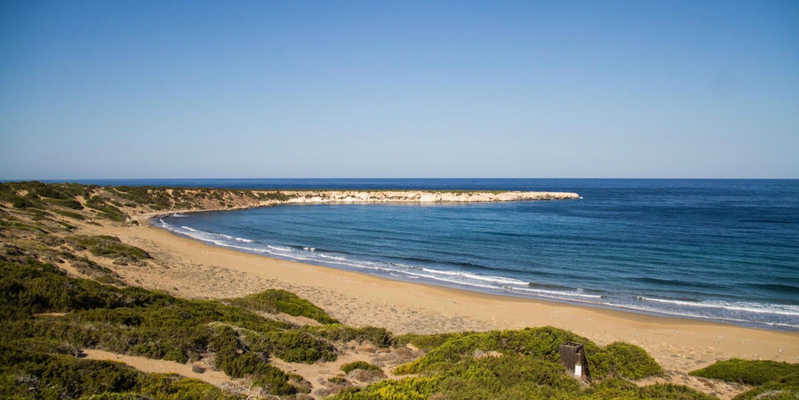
(207, 89)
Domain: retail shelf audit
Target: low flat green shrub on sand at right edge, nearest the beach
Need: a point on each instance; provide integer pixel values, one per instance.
(747, 371)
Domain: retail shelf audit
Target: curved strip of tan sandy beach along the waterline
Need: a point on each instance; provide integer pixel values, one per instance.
(194, 269)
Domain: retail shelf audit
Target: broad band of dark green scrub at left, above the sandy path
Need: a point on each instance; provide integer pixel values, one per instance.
(150, 324)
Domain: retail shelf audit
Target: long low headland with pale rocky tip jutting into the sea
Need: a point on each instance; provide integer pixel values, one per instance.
(122, 204)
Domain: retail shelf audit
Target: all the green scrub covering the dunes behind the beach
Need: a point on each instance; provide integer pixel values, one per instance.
(48, 318)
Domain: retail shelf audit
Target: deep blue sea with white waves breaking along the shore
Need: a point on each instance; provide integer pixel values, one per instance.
(719, 250)
